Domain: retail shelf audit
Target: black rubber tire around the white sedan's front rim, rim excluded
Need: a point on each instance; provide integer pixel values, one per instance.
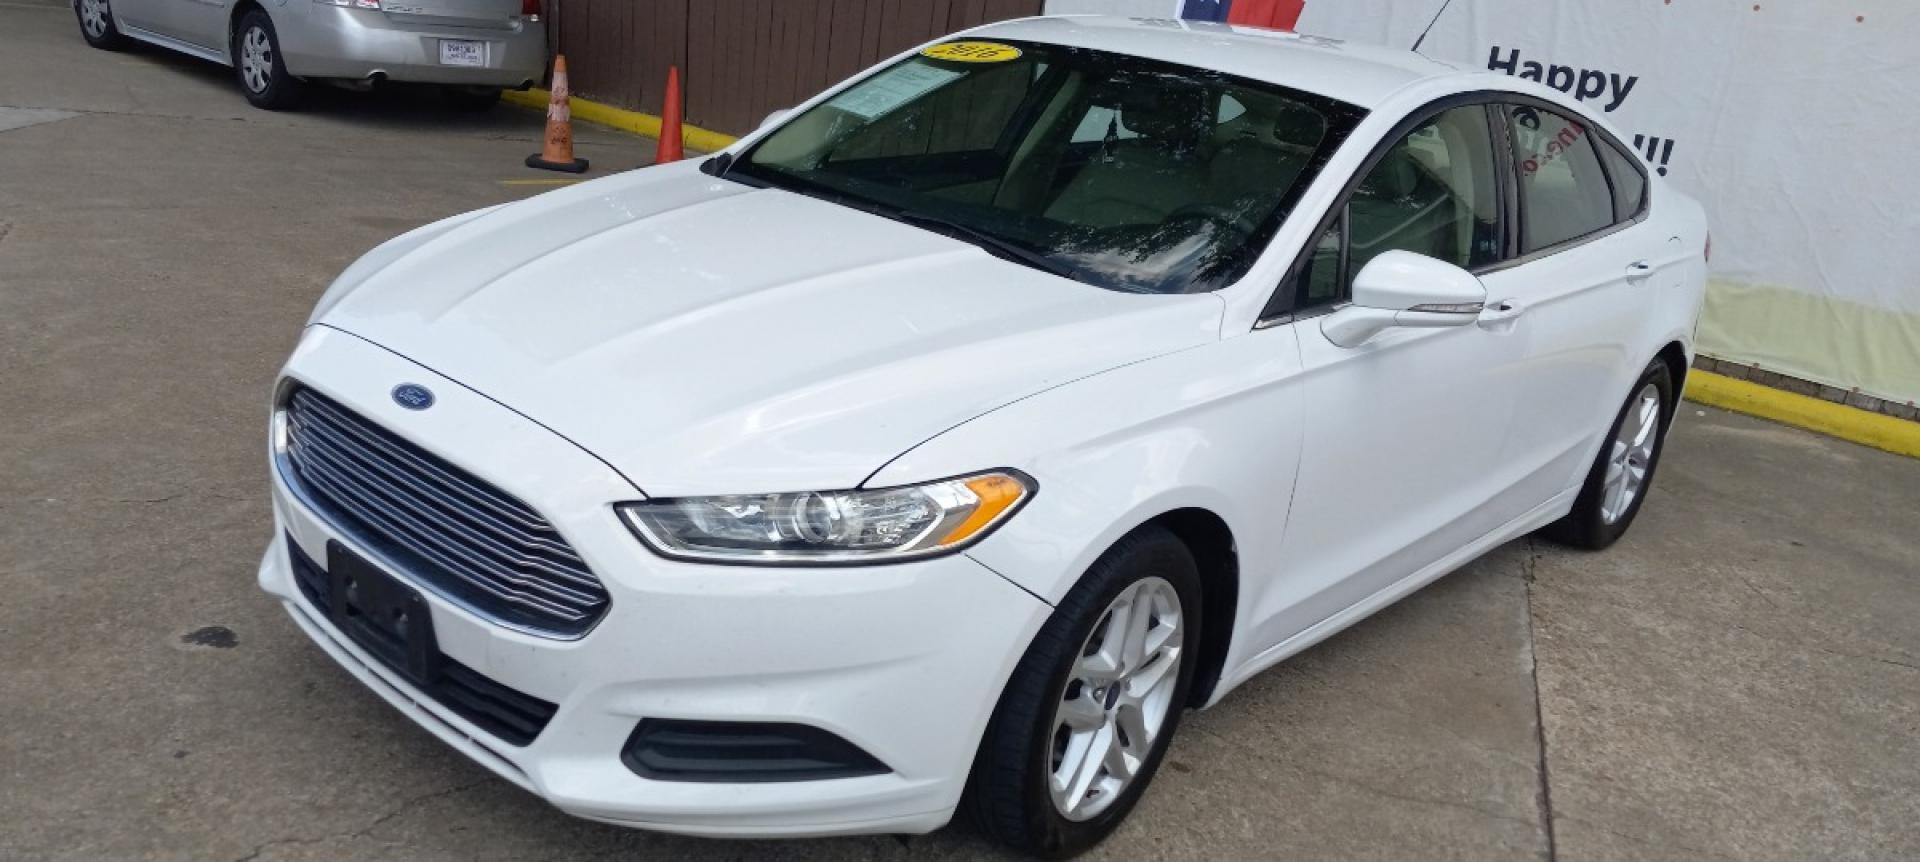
(1009, 788)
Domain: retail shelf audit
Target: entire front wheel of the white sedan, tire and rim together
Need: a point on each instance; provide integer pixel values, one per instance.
(1092, 706)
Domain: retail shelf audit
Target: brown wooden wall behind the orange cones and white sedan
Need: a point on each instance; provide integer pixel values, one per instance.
(744, 59)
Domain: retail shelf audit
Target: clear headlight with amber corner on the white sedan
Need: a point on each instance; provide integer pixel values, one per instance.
(830, 527)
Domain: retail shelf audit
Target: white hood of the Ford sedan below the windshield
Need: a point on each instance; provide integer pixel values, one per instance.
(706, 337)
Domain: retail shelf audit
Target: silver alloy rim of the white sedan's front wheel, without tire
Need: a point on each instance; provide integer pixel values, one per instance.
(1116, 700)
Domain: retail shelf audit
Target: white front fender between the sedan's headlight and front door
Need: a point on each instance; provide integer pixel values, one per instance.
(1214, 427)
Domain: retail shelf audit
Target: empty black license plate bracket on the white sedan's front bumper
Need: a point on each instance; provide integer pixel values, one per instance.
(383, 615)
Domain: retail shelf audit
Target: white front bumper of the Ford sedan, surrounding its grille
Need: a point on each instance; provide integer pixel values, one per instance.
(903, 661)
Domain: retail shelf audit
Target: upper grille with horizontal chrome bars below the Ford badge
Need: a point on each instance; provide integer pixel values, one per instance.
(443, 527)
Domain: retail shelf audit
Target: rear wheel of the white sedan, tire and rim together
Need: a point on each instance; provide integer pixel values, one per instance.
(1623, 473)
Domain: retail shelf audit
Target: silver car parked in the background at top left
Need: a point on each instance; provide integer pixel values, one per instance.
(469, 47)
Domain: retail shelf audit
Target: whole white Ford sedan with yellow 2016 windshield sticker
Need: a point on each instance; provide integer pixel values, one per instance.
(944, 441)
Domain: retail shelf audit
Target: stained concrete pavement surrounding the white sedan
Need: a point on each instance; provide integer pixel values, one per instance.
(1739, 679)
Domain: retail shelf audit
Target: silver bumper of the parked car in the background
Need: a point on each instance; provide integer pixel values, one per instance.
(341, 43)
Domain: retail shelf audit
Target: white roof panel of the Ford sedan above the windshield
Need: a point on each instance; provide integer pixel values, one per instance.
(1349, 72)
